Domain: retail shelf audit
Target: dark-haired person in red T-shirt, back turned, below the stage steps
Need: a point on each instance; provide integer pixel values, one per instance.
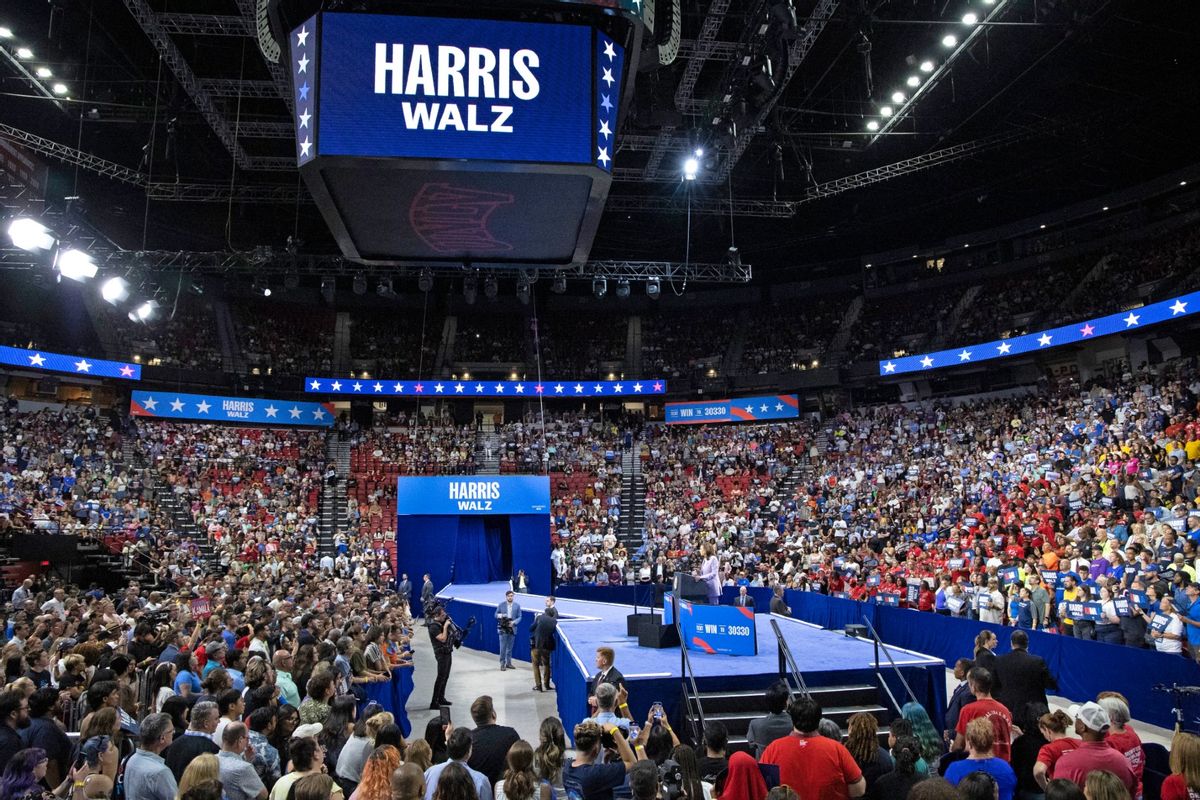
(817, 768)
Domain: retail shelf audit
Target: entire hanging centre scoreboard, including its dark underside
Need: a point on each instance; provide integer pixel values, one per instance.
(457, 140)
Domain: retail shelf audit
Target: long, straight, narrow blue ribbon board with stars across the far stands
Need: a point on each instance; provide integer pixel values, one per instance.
(532, 389)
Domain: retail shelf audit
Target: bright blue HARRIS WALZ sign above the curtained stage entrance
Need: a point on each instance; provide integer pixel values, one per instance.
(473, 495)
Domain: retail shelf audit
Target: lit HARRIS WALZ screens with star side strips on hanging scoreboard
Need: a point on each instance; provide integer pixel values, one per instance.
(431, 88)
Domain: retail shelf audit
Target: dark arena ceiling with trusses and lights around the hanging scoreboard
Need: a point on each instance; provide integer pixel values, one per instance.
(1041, 104)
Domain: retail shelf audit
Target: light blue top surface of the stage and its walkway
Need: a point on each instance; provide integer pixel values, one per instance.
(586, 627)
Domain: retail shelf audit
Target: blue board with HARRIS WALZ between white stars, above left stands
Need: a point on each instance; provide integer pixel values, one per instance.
(212, 408)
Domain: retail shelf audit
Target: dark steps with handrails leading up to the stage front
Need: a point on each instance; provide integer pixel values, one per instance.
(737, 709)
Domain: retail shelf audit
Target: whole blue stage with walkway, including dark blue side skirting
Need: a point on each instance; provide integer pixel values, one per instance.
(825, 658)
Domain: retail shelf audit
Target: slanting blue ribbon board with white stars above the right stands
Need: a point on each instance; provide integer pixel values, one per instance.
(1076, 334)
